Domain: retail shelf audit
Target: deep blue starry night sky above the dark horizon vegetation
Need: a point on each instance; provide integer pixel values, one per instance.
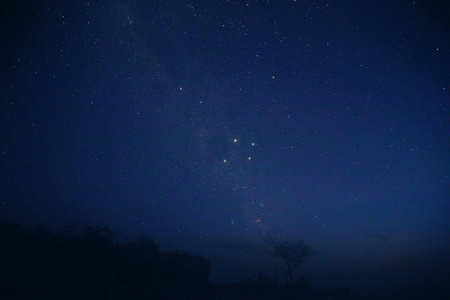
(214, 125)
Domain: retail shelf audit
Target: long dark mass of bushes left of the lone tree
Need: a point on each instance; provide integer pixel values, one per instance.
(36, 261)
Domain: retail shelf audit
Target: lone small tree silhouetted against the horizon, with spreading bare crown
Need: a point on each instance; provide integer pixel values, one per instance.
(292, 252)
